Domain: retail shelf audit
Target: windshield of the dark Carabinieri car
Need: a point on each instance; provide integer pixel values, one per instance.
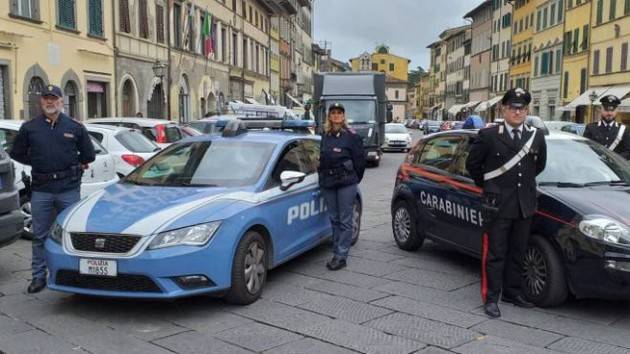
(578, 163)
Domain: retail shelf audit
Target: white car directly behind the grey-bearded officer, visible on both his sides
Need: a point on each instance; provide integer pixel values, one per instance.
(100, 173)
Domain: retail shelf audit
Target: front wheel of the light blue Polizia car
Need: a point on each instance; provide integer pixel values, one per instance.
(249, 270)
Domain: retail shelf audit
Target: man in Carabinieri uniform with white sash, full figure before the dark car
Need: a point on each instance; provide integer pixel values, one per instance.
(504, 160)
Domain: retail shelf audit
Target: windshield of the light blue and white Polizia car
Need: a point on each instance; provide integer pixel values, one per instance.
(207, 163)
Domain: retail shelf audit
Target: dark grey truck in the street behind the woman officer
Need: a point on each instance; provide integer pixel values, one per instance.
(367, 108)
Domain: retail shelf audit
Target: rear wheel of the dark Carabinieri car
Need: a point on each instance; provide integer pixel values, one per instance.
(405, 228)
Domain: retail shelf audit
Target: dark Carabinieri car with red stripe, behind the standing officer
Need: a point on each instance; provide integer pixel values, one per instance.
(580, 242)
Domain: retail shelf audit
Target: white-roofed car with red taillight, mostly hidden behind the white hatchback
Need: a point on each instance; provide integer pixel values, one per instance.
(161, 131)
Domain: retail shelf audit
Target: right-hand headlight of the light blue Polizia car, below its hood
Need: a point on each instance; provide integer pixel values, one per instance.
(197, 235)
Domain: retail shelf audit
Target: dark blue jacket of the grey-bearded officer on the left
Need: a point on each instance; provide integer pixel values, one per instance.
(54, 151)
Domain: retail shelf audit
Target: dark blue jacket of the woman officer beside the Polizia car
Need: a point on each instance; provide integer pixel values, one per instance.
(342, 159)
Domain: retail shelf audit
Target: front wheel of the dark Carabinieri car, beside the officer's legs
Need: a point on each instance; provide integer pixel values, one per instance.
(545, 281)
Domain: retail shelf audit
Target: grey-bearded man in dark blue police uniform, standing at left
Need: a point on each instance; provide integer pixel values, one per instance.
(57, 148)
